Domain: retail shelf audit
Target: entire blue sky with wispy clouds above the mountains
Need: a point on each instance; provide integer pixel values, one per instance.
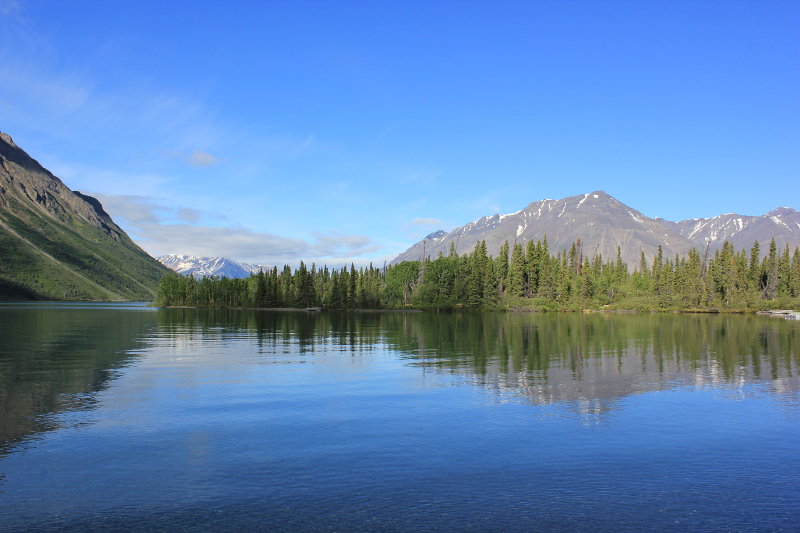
(339, 131)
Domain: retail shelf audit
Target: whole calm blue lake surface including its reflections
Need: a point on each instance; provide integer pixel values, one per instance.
(127, 417)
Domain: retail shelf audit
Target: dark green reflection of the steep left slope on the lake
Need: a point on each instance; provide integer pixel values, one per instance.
(53, 357)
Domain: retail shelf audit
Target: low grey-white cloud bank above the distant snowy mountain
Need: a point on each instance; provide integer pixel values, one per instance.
(161, 230)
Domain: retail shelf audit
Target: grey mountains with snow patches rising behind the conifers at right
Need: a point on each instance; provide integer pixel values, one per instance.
(602, 224)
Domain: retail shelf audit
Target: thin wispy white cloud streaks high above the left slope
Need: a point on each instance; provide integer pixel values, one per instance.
(70, 104)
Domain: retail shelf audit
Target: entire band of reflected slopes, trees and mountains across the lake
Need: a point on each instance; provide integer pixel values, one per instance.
(55, 359)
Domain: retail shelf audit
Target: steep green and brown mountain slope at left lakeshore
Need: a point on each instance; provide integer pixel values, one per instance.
(56, 243)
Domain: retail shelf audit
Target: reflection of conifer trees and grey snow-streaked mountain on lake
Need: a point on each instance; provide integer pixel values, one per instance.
(544, 358)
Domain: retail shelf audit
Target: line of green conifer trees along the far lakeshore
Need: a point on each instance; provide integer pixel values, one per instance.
(520, 277)
